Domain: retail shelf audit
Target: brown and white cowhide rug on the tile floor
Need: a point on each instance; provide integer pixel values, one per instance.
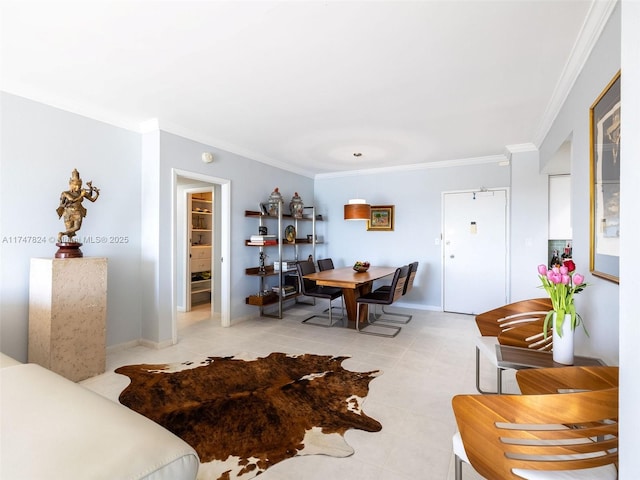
(243, 416)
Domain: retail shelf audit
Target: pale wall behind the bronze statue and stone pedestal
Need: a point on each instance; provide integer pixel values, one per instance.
(40, 147)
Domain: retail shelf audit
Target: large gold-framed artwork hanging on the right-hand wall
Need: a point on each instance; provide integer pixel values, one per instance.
(605, 183)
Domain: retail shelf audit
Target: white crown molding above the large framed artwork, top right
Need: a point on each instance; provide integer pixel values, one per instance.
(596, 20)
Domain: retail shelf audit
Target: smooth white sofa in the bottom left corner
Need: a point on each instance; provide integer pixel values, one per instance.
(52, 428)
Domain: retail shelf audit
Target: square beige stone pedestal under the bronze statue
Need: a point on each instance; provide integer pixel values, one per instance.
(67, 315)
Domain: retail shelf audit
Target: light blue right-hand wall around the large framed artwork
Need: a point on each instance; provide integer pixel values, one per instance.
(599, 303)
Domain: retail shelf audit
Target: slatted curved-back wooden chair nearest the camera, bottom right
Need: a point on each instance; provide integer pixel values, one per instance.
(538, 437)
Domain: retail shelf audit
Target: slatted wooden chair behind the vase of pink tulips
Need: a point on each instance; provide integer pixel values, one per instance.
(500, 325)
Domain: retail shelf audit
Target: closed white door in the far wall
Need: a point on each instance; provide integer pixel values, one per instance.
(475, 251)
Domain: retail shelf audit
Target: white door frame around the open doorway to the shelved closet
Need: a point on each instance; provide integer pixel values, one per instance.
(184, 181)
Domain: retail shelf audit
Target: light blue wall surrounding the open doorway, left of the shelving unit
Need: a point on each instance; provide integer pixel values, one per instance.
(251, 183)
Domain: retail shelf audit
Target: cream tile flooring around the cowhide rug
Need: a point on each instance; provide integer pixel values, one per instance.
(431, 360)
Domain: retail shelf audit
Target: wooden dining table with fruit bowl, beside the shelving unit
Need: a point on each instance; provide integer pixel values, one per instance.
(353, 284)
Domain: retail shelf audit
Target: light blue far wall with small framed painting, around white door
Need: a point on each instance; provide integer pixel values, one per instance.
(417, 197)
